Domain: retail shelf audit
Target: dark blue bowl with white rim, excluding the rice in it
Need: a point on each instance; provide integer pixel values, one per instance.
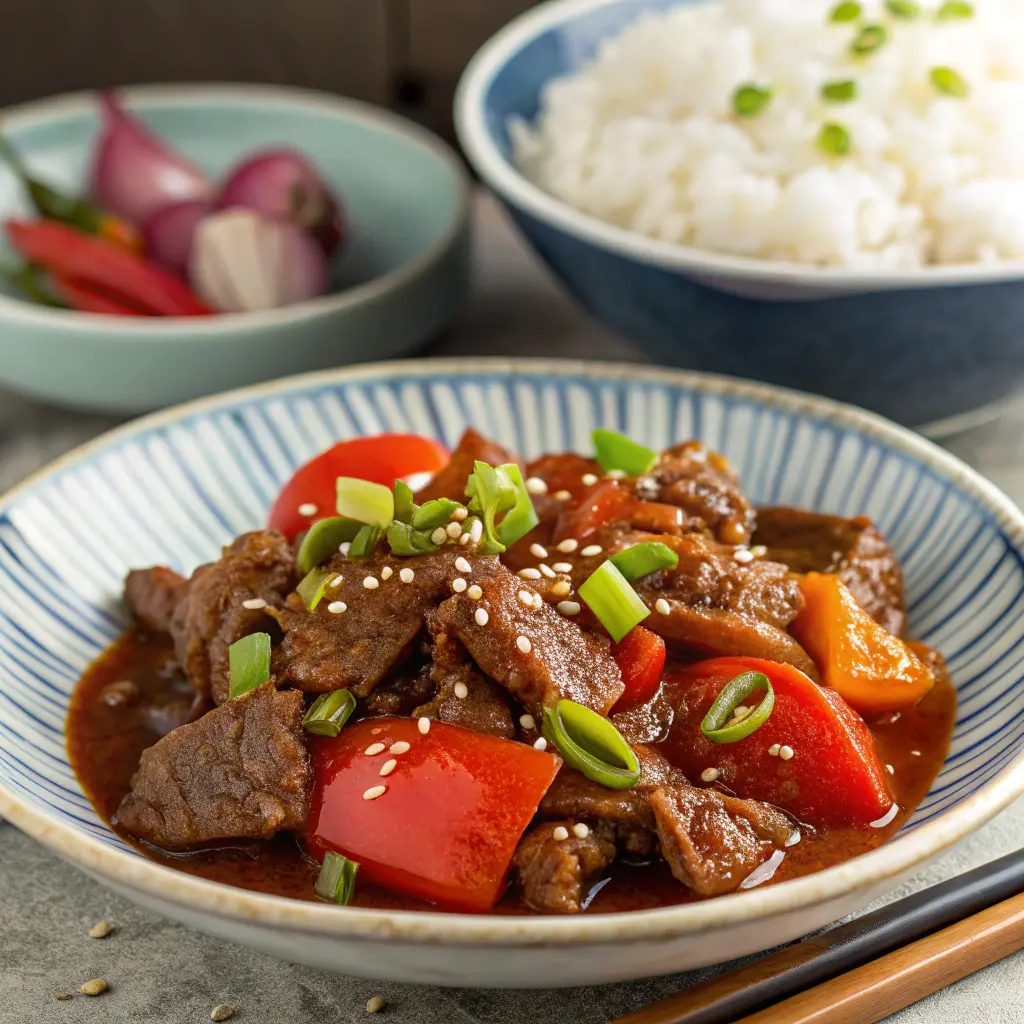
(931, 349)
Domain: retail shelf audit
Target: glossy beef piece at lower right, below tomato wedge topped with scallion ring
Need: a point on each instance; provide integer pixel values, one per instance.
(713, 842)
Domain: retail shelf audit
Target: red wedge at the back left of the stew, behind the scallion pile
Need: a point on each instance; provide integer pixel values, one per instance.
(383, 459)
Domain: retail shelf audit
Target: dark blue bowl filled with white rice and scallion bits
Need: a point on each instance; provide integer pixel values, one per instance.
(820, 194)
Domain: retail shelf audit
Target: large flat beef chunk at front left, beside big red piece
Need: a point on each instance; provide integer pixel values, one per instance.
(241, 772)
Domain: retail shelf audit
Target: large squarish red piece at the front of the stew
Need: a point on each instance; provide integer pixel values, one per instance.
(448, 824)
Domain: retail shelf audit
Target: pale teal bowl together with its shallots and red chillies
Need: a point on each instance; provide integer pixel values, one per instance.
(166, 243)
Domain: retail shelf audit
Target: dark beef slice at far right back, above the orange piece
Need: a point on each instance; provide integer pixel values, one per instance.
(854, 549)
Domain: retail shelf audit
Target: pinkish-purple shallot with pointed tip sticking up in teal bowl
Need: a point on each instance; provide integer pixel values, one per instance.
(134, 173)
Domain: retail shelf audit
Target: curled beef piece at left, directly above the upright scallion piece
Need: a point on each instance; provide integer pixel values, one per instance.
(211, 615)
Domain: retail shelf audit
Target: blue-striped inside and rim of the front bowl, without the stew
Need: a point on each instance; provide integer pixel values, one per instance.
(174, 487)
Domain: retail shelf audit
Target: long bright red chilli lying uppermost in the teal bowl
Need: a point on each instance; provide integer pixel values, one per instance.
(64, 251)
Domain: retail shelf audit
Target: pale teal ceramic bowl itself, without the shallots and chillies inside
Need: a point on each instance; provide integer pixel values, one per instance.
(399, 283)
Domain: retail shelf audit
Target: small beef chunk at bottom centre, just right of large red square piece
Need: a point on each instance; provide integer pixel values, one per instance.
(556, 875)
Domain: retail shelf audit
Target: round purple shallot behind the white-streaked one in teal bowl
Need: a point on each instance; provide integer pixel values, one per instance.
(283, 184)
